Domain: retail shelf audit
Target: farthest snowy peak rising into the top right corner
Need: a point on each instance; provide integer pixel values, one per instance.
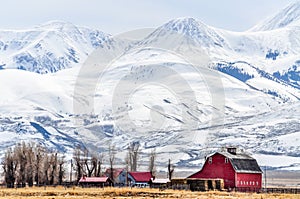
(286, 17)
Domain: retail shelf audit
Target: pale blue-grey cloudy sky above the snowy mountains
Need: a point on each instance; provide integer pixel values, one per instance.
(117, 16)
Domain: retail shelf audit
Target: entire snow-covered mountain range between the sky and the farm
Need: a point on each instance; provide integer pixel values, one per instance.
(184, 89)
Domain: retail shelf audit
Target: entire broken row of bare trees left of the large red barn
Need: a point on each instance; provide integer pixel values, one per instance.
(33, 164)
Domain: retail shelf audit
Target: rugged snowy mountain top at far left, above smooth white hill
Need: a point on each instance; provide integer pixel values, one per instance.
(50, 47)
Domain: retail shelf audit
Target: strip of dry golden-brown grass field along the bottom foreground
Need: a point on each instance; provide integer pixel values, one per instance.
(118, 193)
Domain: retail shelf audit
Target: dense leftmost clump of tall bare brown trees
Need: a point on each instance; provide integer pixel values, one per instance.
(28, 163)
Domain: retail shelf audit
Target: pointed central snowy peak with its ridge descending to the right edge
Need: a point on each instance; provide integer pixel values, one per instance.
(245, 56)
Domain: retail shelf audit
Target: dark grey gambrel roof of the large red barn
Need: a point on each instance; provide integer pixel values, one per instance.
(242, 163)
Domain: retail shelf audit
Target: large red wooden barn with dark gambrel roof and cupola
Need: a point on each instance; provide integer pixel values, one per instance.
(238, 170)
